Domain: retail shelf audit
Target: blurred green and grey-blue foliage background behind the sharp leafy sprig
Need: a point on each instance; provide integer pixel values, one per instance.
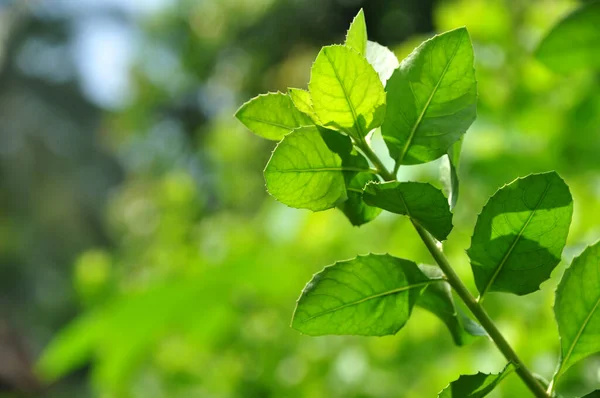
(136, 235)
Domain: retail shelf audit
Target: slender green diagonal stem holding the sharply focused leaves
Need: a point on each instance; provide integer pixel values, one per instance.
(461, 290)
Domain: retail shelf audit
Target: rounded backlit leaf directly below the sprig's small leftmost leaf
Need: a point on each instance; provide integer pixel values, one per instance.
(305, 173)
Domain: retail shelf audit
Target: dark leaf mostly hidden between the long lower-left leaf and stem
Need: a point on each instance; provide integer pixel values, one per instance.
(437, 298)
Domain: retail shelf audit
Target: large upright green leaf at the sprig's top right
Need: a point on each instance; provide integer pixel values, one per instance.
(431, 99)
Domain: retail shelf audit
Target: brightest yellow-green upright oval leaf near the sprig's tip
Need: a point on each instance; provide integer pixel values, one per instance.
(346, 91)
